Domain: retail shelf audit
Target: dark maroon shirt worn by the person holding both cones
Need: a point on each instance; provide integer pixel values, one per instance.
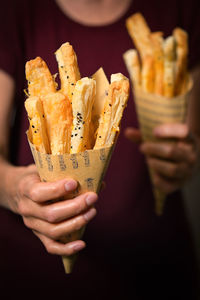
(128, 246)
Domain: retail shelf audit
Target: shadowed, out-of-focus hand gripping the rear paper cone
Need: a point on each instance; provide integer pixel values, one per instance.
(172, 162)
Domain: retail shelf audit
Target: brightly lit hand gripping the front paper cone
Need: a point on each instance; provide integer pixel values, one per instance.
(50, 221)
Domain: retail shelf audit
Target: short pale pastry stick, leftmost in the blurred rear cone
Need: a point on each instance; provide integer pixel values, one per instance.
(132, 63)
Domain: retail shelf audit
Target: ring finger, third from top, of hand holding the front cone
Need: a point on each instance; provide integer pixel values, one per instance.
(59, 230)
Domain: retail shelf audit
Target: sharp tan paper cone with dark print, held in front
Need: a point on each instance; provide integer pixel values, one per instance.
(88, 168)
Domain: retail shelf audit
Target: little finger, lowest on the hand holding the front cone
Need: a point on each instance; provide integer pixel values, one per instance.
(54, 247)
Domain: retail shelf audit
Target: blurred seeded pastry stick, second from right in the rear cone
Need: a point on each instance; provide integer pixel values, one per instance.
(169, 66)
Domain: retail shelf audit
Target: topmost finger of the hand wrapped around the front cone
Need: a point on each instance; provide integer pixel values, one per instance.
(32, 188)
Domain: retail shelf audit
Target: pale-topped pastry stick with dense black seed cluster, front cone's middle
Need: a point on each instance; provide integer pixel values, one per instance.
(82, 102)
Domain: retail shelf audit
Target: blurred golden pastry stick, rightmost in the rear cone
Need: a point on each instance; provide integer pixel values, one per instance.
(181, 38)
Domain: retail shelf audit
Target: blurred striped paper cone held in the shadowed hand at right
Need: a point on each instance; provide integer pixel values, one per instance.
(154, 110)
